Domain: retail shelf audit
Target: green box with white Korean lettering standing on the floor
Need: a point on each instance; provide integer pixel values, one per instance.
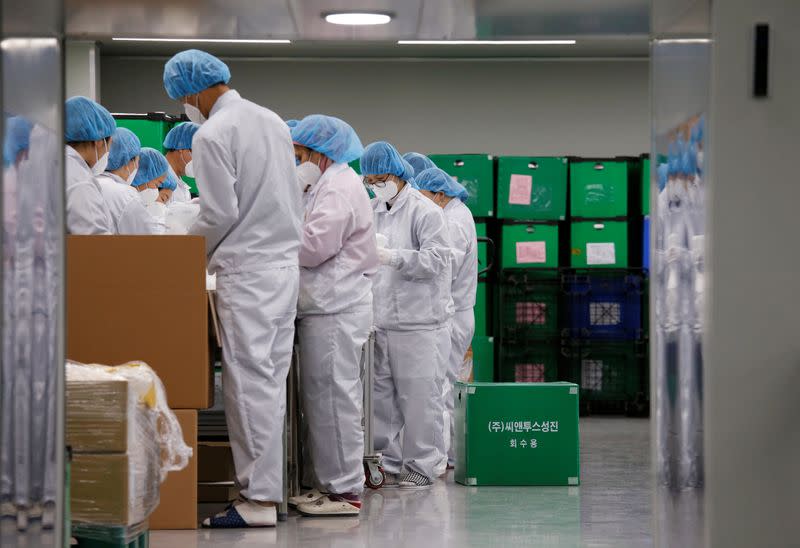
(501, 439)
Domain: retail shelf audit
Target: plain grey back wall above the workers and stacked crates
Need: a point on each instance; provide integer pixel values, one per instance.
(589, 108)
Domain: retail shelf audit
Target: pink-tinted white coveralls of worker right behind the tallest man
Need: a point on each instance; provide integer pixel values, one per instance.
(337, 258)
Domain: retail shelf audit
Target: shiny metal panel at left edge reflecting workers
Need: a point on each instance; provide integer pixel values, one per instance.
(31, 380)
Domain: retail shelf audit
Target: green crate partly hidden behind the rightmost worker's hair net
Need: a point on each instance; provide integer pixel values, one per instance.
(476, 173)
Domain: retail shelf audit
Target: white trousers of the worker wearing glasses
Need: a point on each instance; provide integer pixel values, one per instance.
(409, 374)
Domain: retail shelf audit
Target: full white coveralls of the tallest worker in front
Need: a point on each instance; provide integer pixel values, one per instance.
(250, 217)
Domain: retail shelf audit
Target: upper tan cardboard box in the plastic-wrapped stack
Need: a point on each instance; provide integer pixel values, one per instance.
(97, 416)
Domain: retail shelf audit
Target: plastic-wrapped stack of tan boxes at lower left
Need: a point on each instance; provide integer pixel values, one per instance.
(125, 440)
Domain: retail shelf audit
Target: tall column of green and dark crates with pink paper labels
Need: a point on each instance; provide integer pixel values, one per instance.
(531, 211)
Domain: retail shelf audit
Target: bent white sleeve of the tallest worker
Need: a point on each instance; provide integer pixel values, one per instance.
(219, 208)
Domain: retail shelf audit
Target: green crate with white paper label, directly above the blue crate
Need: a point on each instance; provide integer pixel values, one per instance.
(600, 244)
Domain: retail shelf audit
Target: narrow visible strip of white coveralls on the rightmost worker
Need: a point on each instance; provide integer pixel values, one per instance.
(464, 240)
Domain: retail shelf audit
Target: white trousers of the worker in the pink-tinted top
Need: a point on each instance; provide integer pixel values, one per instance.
(332, 395)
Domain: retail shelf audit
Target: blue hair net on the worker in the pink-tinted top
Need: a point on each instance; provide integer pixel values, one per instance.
(329, 136)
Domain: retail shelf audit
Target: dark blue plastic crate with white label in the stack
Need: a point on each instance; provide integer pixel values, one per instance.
(604, 305)
